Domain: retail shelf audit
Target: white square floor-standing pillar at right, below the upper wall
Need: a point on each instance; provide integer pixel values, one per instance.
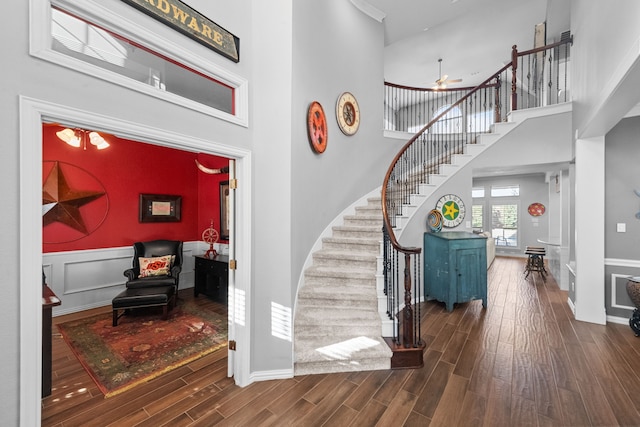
(589, 230)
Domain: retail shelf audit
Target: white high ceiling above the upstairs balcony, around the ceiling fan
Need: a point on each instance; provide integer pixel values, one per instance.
(473, 37)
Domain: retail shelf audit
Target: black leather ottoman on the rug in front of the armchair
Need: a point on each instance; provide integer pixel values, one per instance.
(157, 296)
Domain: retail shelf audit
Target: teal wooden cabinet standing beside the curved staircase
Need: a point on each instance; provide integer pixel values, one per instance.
(455, 267)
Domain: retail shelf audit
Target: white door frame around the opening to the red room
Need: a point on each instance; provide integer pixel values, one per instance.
(33, 113)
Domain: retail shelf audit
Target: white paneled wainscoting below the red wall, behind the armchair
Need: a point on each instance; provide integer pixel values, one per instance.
(91, 278)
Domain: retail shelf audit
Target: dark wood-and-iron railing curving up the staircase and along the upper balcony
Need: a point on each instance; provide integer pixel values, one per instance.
(534, 78)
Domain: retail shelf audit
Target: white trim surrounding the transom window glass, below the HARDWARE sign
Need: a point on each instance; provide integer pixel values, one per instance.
(40, 47)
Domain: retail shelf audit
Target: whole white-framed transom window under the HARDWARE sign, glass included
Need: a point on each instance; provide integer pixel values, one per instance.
(89, 37)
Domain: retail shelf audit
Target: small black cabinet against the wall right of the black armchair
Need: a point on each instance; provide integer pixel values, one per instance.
(212, 277)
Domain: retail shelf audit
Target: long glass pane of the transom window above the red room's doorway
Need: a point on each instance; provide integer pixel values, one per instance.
(82, 40)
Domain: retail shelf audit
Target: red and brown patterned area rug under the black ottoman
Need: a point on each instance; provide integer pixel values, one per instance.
(143, 346)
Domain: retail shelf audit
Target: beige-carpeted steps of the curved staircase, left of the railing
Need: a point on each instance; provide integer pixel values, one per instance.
(337, 324)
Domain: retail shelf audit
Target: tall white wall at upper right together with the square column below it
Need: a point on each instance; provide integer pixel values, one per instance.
(606, 75)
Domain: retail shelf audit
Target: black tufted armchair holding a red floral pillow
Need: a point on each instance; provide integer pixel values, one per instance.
(158, 273)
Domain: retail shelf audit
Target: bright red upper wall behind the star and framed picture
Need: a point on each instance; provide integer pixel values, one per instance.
(124, 171)
